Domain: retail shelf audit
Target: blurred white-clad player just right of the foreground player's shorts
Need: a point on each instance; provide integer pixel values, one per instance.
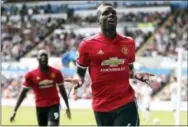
(146, 93)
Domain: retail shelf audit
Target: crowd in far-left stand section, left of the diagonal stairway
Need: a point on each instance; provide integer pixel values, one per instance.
(19, 37)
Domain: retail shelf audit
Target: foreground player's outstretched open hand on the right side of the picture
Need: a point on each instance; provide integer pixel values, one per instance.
(144, 77)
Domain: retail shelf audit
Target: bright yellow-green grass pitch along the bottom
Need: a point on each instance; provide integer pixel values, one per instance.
(27, 116)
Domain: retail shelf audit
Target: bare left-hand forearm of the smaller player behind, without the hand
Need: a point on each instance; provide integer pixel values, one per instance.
(21, 97)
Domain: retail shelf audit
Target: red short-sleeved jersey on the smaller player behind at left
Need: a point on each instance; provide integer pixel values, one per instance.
(44, 86)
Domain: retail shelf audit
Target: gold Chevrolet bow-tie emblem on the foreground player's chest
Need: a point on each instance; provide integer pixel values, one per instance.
(113, 62)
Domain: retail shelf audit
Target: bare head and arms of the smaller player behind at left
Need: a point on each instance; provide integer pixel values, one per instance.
(43, 64)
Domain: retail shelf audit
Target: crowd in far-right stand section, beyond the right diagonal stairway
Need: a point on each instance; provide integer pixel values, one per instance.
(171, 38)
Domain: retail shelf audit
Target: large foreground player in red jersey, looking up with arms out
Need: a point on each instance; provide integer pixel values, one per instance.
(109, 58)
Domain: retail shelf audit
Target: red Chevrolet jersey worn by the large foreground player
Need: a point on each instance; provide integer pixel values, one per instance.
(108, 63)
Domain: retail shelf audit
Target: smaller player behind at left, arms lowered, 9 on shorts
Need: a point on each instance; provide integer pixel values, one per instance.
(43, 81)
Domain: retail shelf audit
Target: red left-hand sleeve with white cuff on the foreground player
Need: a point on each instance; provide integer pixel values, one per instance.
(83, 59)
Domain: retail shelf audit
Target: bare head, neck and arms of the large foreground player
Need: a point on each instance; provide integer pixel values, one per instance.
(107, 20)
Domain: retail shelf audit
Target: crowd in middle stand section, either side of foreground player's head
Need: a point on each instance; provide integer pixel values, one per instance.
(58, 43)
